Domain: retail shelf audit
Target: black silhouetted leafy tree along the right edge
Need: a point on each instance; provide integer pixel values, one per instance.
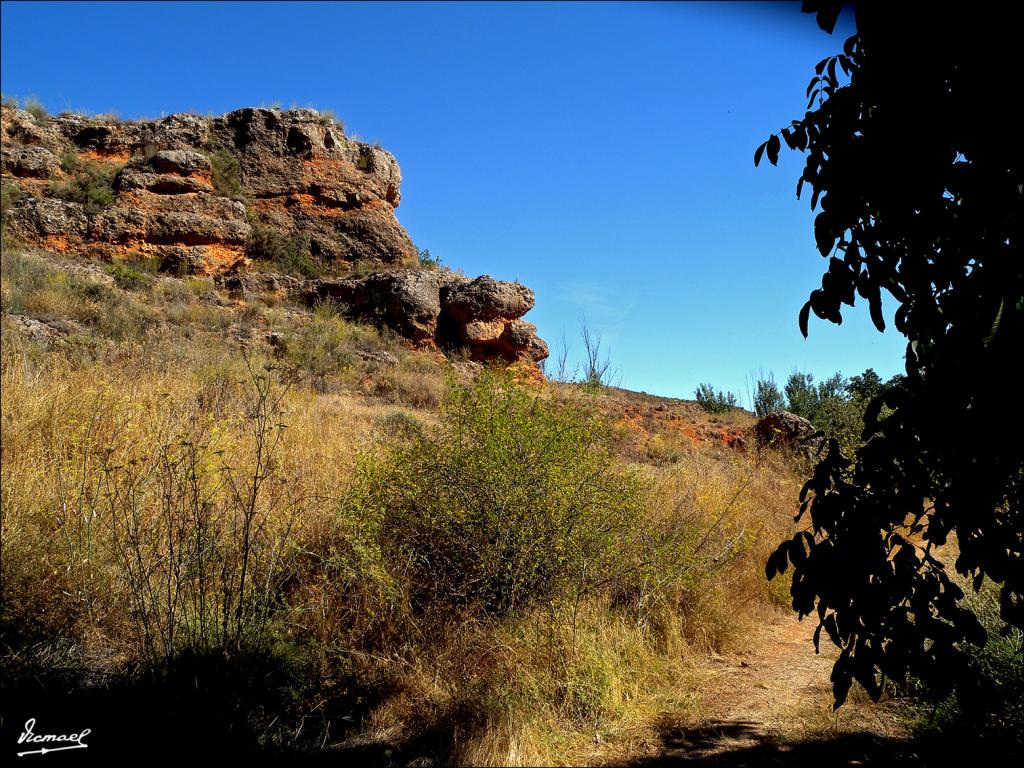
(914, 159)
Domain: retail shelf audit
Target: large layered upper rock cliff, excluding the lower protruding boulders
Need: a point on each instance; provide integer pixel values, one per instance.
(332, 198)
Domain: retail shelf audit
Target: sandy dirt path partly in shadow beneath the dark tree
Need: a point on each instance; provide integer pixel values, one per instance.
(772, 705)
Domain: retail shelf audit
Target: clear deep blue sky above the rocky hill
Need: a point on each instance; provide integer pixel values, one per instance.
(601, 153)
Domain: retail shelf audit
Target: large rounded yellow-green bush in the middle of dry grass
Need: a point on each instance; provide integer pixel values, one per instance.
(510, 502)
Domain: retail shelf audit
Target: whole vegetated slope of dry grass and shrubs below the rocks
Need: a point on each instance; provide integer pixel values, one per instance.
(292, 547)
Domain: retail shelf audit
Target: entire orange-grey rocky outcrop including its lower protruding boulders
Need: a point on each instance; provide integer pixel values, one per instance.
(211, 195)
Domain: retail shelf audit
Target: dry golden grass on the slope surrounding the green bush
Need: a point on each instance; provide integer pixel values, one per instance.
(93, 430)
